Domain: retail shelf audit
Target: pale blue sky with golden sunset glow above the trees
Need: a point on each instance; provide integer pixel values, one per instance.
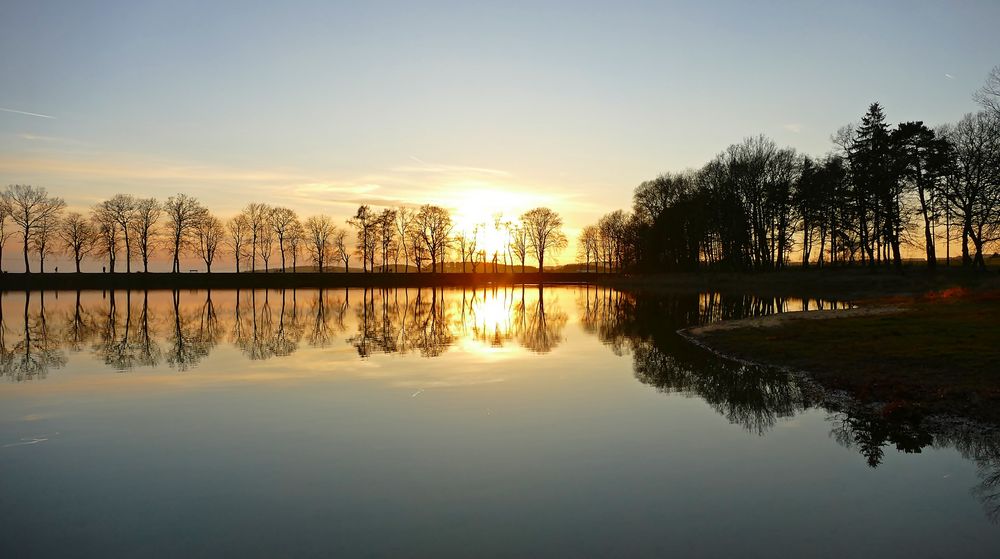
(477, 106)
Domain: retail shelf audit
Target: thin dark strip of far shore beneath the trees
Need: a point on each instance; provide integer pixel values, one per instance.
(844, 284)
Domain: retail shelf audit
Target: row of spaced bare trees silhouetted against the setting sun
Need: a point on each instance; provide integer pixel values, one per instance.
(124, 232)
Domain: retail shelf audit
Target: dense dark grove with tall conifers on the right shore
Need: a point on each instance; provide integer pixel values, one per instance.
(758, 206)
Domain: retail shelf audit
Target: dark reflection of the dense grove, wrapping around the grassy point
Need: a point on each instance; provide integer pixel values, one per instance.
(757, 397)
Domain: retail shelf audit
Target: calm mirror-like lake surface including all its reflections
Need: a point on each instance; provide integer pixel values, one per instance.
(568, 421)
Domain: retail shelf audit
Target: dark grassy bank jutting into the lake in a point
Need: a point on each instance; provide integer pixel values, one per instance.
(915, 355)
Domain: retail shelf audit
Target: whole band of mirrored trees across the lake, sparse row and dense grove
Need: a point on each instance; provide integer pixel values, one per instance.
(132, 330)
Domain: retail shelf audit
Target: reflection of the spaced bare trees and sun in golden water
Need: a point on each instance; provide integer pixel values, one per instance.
(134, 329)
